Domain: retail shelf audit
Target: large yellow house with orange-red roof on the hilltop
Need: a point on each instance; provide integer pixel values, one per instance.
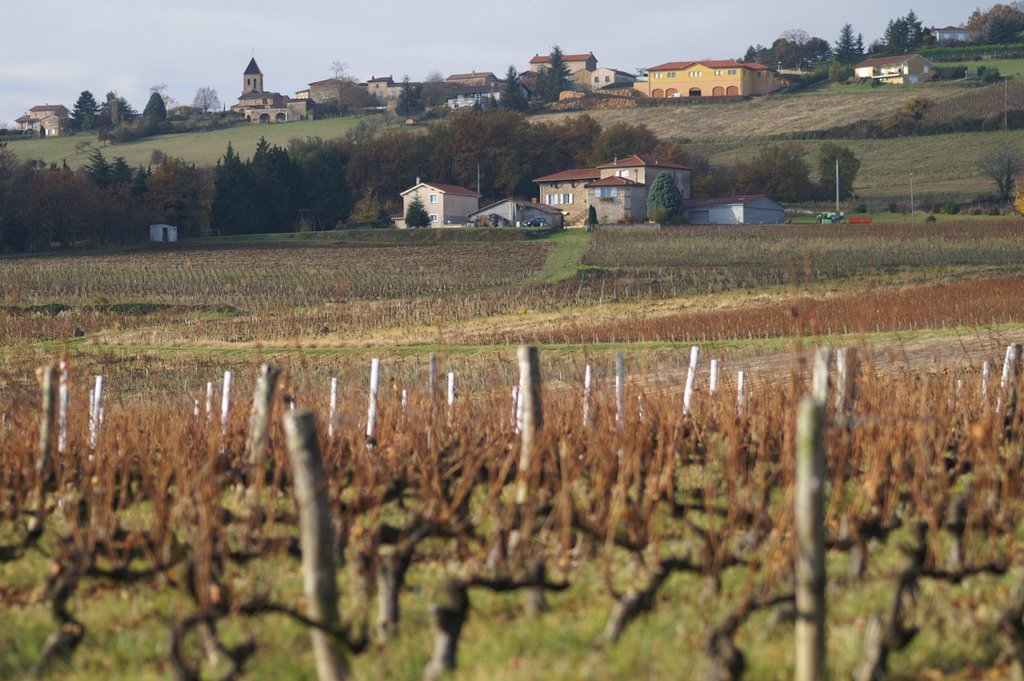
(713, 78)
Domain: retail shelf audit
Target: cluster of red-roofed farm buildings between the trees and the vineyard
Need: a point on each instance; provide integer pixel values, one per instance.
(617, 191)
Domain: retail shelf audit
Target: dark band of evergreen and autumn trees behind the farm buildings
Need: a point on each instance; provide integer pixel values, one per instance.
(354, 180)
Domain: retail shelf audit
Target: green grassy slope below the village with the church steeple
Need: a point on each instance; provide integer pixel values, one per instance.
(201, 149)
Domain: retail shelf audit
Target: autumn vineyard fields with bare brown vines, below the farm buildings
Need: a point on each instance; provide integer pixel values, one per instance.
(328, 460)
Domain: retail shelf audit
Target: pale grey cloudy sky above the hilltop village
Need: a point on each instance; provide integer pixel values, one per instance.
(55, 52)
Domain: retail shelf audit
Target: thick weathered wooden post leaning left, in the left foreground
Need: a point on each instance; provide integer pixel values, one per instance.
(317, 540)
